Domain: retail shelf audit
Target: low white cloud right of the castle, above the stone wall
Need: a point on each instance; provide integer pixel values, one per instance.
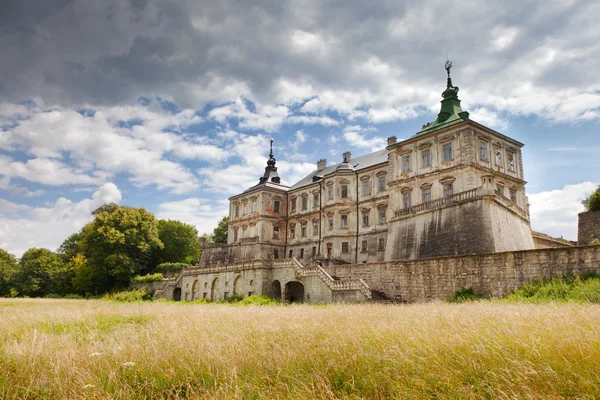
(554, 212)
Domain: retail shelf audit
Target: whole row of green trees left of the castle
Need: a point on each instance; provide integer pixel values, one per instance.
(120, 243)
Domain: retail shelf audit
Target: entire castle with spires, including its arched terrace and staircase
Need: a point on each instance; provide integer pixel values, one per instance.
(452, 190)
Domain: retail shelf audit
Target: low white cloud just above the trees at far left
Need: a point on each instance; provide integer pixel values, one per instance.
(23, 227)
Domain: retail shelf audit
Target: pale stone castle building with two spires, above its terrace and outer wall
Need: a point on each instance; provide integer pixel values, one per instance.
(456, 187)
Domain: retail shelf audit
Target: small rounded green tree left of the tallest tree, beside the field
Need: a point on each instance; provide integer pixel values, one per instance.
(42, 272)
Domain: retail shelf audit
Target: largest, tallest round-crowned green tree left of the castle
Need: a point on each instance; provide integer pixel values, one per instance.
(118, 244)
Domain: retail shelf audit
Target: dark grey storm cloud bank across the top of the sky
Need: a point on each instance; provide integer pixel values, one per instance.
(110, 52)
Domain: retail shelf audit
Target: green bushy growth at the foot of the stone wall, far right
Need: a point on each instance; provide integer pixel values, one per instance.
(582, 289)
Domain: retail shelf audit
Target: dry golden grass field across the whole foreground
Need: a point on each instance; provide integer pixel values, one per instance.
(100, 349)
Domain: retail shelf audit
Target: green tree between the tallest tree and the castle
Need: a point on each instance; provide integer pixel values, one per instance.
(181, 243)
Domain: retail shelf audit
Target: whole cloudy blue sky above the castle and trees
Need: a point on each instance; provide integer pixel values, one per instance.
(170, 105)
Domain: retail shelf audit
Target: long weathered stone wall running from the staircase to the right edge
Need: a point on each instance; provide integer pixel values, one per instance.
(495, 274)
